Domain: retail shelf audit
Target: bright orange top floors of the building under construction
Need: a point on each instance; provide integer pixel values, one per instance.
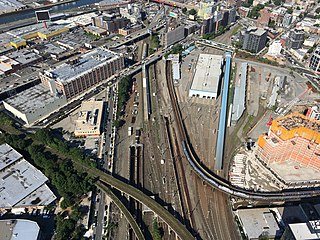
(296, 124)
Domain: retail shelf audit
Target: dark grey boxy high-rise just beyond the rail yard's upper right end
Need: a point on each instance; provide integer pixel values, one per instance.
(254, 39)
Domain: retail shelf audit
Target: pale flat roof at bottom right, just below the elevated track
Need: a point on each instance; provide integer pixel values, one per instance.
(257, 220)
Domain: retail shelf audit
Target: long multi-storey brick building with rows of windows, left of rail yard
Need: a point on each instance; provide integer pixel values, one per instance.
(80, 74)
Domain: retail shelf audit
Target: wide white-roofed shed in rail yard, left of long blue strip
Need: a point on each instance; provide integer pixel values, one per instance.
(207, 77)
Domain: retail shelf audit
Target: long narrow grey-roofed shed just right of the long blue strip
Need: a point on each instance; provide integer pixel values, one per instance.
(239, 98)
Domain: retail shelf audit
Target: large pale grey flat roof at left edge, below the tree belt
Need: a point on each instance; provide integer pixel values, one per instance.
(18, 181)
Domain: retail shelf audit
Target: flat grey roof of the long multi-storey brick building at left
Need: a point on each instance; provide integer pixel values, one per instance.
(67, 72)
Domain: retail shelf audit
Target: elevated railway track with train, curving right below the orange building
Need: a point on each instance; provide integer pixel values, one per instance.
(216, 181)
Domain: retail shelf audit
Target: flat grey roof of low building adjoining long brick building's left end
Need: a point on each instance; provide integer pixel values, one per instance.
(31, 99)
